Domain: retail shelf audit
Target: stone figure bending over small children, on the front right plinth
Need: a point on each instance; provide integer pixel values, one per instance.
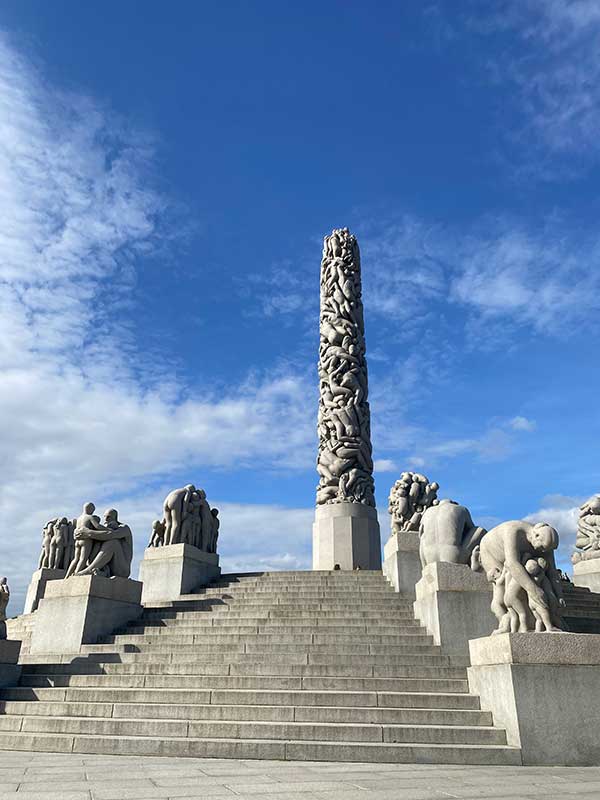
(527, 596)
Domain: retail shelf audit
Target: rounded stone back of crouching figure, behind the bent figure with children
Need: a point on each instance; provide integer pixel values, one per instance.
(447, 533)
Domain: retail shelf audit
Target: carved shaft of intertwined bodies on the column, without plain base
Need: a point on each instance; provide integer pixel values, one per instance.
(344, 463)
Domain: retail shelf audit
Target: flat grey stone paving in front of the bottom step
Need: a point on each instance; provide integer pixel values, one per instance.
(51, 776)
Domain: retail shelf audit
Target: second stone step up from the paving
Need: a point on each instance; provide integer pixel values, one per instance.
(236, 729)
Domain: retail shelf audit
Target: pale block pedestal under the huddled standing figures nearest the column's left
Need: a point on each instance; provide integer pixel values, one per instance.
(176, 569)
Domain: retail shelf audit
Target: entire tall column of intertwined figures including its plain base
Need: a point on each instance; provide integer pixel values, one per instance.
(346, 531)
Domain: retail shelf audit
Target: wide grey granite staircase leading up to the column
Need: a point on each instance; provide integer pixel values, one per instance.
(300, 666)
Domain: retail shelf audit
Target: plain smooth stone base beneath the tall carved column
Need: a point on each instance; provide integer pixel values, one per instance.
(346, 534)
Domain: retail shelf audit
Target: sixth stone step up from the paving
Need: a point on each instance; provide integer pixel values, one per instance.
(250, 669)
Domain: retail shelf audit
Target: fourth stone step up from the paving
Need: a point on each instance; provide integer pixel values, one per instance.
(288, 697)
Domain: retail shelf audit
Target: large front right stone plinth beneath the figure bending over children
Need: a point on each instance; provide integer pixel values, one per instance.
(544, 689)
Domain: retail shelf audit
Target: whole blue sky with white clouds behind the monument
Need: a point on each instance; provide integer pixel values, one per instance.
(166, 177)
